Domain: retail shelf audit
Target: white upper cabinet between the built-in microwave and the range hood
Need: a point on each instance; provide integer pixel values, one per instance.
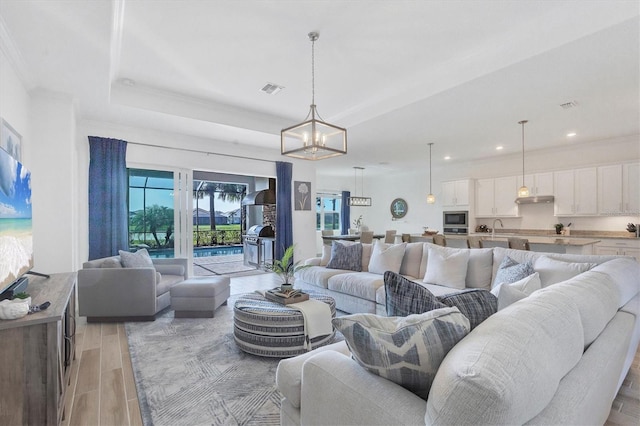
(496, 197)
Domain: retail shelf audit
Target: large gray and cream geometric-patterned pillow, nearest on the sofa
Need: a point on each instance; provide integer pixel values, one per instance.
(406, 350)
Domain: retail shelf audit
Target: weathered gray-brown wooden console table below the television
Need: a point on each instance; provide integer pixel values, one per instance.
(36, 352)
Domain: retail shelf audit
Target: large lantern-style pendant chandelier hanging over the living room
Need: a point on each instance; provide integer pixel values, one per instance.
(313, 139)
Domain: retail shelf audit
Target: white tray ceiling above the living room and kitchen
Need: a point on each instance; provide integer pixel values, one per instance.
(396, 74)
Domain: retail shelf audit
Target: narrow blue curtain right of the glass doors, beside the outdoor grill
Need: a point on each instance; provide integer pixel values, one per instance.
(284, 222)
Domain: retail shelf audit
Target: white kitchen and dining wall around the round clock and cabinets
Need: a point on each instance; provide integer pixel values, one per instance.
(413, 186)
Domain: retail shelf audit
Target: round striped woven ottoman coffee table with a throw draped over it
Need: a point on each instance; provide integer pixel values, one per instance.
(269, 329)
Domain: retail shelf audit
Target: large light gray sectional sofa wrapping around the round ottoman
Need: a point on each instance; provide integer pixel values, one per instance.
(558, 356)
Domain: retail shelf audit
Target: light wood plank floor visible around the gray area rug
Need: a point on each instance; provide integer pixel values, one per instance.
(103, 393)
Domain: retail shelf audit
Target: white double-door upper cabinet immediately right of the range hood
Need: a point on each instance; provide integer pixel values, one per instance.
(575, 192)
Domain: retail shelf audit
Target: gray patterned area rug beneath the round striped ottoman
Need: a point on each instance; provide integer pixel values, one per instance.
(189, 371)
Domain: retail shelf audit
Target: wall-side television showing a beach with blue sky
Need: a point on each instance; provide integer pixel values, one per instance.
(16, 230)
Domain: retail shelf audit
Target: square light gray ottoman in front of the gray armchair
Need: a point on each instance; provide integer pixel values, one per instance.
(198, 297)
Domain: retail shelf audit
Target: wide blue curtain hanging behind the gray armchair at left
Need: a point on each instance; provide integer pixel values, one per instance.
(107, 197)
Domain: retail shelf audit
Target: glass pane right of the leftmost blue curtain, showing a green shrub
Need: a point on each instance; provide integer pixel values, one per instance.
(151, 211)
